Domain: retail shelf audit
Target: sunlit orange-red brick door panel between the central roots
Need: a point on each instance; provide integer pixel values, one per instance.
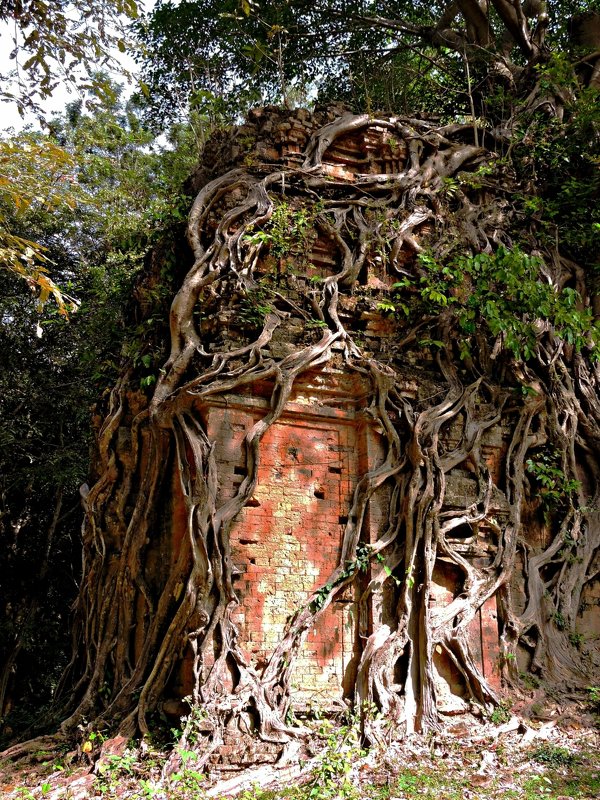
(286, 542)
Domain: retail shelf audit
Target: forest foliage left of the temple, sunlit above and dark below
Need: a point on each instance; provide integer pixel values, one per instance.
(93, 198)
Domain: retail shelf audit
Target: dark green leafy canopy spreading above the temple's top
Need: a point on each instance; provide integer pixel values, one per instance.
(220, 57)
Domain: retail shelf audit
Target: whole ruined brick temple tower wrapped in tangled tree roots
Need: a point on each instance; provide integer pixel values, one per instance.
(365, 473)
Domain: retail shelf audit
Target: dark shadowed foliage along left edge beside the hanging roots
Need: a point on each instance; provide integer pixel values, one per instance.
(44, 402)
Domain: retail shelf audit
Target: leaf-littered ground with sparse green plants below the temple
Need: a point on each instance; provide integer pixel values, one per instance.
(556, 759)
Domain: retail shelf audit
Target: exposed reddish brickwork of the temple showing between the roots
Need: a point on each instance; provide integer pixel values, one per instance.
(287, 540)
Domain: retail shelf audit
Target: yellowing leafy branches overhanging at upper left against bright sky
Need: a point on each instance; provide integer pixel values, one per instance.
(53, 41)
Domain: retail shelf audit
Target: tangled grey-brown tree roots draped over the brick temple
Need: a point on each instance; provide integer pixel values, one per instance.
(141, 606)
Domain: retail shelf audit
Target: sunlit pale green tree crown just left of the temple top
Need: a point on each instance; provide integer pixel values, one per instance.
(131, 185)
